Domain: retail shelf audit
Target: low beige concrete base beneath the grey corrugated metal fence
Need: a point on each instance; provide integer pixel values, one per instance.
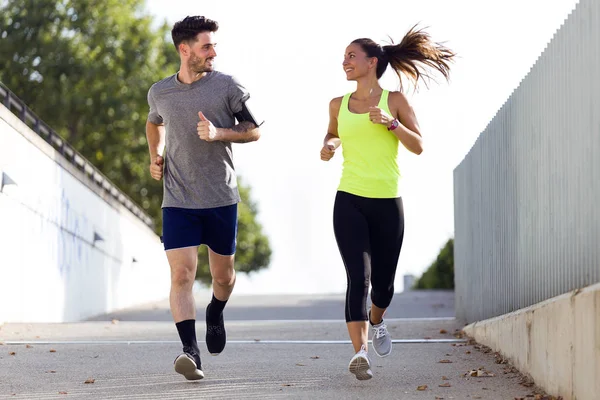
(557, 342)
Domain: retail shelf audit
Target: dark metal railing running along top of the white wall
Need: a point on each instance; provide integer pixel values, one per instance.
(13, 103)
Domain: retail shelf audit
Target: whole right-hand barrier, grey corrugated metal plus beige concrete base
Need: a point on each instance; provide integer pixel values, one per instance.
(527, 219)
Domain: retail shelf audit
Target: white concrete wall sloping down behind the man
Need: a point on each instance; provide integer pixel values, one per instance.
(68, 249)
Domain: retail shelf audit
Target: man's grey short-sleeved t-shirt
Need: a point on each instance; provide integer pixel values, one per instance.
(197, 173)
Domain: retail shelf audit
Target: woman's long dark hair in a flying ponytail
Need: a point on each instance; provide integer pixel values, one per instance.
(410, 56)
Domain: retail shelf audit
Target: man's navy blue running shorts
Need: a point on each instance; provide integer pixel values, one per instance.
(214, 227)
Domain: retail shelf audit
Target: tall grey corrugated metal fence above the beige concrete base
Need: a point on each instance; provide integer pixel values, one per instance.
(527, 195)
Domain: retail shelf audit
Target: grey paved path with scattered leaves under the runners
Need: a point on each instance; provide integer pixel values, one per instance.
(278, 348)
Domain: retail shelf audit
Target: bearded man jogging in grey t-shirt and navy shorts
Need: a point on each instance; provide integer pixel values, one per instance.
(192, 119)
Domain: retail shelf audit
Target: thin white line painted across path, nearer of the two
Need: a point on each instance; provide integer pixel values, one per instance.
(258, 341)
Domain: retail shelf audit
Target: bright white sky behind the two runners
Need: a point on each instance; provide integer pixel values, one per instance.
(289, 55)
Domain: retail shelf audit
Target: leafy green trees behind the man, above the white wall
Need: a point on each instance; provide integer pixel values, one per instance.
(85, 67)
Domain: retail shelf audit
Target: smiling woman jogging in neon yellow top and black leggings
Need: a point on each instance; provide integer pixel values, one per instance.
(368, 216)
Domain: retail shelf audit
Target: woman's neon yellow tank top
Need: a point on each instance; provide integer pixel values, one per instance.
(370, 152)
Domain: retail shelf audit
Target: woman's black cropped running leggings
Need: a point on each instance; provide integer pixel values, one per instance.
(369, 235)
